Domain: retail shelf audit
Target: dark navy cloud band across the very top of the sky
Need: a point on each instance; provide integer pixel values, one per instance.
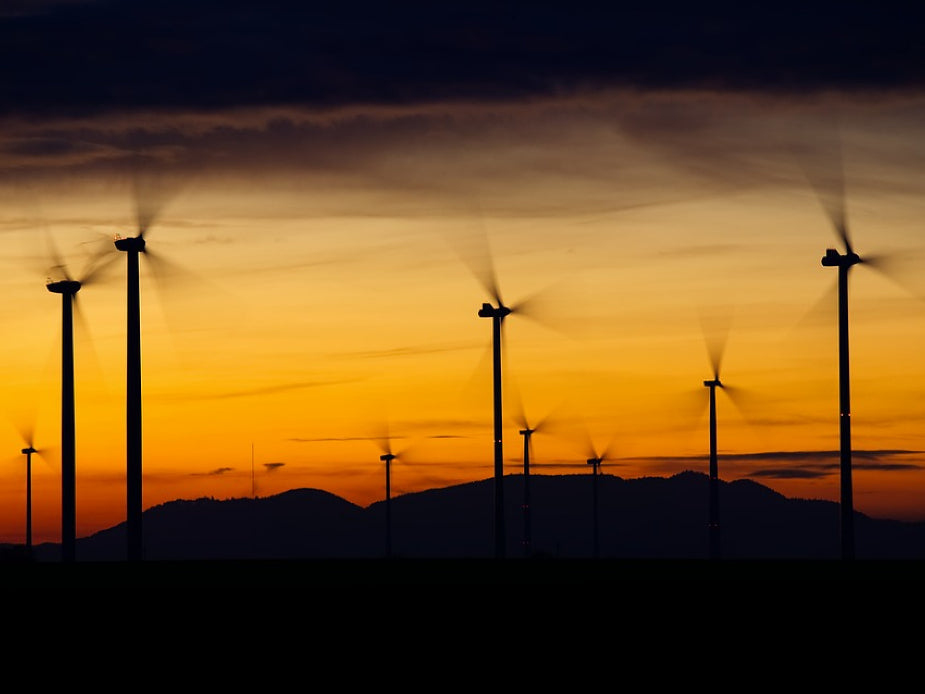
(78, 57)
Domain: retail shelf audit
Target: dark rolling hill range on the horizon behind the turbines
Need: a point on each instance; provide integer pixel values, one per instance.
(649, 518)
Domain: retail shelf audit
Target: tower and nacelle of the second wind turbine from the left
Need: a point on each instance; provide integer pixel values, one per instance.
(67, 289)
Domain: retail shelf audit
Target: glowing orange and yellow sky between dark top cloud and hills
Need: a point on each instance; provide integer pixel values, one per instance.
(332, 262)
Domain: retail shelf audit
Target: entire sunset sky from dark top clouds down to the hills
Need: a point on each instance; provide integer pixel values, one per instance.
(333, 186)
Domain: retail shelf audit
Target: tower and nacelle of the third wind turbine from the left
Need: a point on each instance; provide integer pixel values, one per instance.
(133, 246)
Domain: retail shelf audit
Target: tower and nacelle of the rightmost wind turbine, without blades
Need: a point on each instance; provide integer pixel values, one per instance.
(843, 262)
